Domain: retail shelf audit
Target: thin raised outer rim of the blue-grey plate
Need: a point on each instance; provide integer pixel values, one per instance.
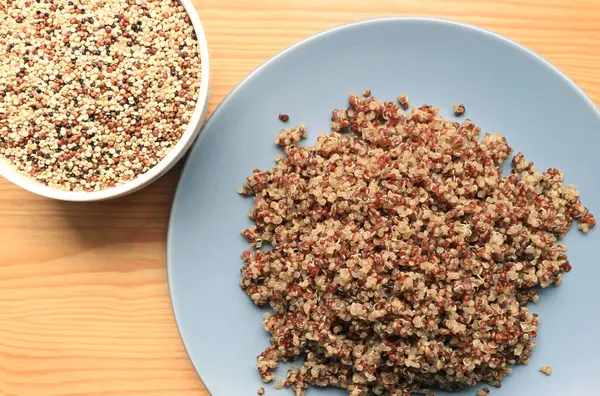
(449, 22)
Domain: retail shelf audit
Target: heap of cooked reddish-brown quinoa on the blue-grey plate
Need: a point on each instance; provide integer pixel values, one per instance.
(402, 258)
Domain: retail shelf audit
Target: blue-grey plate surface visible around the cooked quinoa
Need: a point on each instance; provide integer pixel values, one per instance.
(505, 88)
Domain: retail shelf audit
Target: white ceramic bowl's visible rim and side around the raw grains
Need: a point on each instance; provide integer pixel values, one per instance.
(188, 137)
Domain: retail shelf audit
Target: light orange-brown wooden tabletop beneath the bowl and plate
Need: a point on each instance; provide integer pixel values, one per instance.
(84, 304)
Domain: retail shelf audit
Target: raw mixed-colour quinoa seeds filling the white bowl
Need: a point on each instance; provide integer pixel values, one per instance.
(94, 93)
